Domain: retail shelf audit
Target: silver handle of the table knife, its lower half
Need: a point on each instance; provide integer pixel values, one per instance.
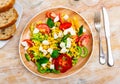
(109, 52)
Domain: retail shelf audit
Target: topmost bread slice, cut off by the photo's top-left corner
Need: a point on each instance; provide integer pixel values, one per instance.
(6, 5)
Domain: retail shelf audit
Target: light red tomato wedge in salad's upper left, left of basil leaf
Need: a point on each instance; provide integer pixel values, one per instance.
(43, 28)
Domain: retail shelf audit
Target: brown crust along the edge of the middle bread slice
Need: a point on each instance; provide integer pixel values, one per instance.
(15, 15)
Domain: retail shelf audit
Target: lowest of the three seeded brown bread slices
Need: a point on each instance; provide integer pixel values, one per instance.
(7, 33)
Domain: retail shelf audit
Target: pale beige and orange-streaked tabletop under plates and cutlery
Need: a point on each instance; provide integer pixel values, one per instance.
(12, 70)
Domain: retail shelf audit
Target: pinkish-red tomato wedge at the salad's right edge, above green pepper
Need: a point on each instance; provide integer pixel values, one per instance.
(83, 40)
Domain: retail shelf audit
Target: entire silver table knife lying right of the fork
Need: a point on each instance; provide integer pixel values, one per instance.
(107, 35)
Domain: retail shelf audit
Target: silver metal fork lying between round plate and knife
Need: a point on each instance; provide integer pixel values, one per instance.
(97, 23)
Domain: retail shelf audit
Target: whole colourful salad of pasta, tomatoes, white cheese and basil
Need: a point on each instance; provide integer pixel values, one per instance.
(55, 45)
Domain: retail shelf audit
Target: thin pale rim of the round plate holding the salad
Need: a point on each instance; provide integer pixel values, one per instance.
(73, 72)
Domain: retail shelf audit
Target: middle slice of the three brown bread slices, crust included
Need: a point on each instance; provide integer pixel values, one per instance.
(8, 18)
